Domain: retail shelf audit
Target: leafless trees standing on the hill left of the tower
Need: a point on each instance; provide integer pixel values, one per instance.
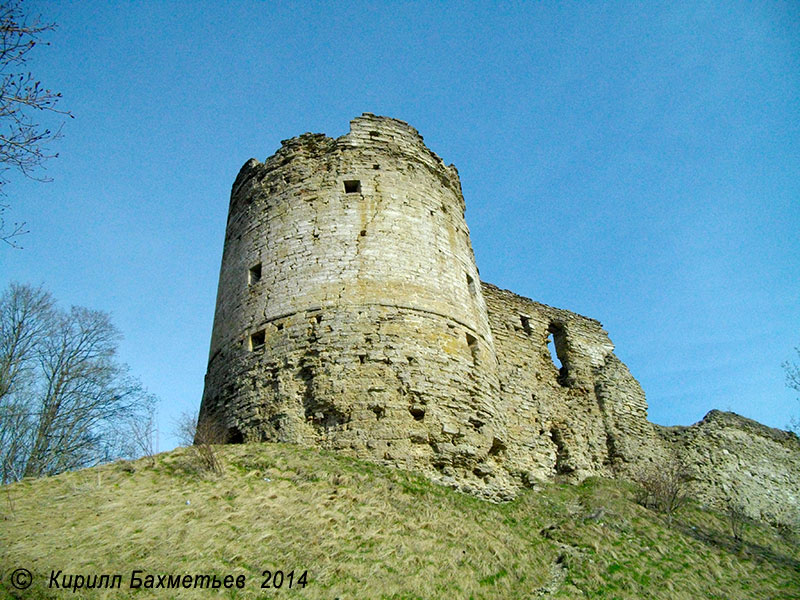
(65, 401)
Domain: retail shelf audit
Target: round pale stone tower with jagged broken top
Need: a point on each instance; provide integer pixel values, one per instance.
(349, 311)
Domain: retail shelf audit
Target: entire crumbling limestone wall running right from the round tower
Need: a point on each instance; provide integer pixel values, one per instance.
(590, 418)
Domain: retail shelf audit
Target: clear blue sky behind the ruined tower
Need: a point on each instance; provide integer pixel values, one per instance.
(638, 163)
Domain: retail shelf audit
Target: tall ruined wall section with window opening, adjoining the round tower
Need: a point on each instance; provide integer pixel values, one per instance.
(587, 418)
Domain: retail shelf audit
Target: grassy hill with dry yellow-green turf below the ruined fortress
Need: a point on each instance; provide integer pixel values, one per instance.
(359, 530)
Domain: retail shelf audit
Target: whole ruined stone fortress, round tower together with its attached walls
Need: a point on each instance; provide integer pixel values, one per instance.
(350, 316)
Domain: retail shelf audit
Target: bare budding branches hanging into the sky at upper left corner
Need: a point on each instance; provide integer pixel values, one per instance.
(23, 99)
